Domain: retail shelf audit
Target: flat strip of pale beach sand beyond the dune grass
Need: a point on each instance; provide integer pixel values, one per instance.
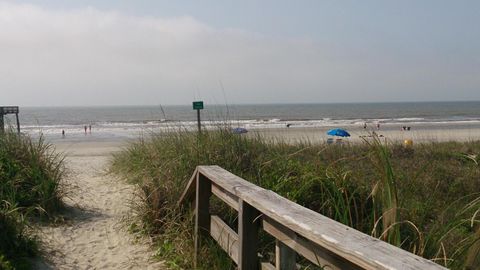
(418, 134)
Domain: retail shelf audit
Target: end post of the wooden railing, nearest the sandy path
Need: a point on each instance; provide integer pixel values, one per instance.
(202, 212)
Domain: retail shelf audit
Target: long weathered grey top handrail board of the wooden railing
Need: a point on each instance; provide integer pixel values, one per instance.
(348, 243)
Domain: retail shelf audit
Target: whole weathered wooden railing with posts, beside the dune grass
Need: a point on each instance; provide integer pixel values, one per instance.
(321, 240)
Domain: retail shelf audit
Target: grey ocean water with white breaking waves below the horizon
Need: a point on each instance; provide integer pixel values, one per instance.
(130, 121)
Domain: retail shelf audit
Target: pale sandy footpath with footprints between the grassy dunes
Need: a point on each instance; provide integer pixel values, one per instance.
(94, 236)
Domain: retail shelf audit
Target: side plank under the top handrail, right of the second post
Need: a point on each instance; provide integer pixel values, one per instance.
(305, 248)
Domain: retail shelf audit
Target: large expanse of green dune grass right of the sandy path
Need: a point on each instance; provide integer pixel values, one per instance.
(425, 199)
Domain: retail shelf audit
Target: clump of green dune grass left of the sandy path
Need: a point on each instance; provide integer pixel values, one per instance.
(30, 176)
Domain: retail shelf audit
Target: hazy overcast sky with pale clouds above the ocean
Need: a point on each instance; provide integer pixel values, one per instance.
(270, 51)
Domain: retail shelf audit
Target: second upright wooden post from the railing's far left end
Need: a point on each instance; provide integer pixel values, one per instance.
(248, 226)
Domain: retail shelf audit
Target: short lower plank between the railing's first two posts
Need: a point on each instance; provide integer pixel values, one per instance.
(225, 237)
